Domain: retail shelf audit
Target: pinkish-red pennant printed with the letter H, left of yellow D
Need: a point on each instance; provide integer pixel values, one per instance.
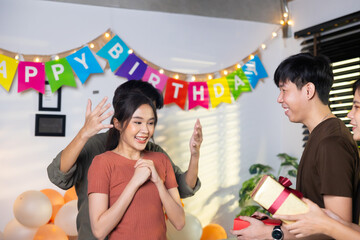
(198, 95)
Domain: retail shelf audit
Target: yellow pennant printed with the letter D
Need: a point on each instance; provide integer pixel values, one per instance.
(219, 91)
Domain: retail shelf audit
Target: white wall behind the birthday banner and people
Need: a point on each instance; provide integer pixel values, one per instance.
(252, 129)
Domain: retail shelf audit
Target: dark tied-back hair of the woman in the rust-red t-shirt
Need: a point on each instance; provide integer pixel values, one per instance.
(125, 105)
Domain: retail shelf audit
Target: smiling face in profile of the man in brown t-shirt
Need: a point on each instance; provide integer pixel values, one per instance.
(293, 100)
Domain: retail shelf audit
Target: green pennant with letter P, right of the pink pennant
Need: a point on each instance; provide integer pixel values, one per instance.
(59, 72)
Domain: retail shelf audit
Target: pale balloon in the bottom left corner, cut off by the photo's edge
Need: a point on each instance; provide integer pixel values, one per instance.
(16, 231)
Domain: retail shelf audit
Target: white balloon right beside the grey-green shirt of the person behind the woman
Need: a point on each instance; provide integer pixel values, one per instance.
(66, 218)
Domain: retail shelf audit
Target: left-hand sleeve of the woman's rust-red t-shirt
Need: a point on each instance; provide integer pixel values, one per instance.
(99, 176)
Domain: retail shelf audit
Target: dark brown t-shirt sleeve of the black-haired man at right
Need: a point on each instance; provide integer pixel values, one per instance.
(336, 167)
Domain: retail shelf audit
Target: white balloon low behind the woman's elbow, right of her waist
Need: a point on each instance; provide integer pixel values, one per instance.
(191, 231)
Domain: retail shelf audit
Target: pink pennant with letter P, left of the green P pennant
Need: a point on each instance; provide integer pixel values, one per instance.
(31, 75)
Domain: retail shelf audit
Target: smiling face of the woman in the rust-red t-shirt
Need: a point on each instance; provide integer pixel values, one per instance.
(139, 130)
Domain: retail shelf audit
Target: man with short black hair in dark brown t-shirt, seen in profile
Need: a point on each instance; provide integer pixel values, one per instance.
(328, 173)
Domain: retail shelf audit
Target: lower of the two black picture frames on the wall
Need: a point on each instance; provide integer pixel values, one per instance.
(50, 125)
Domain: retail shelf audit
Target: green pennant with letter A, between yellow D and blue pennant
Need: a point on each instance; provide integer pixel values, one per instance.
(238, 83)
